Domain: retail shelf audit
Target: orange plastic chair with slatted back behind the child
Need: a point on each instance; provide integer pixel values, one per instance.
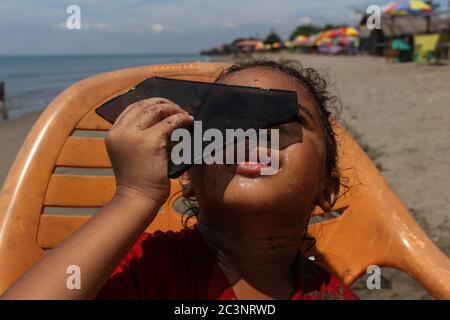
(373, 227)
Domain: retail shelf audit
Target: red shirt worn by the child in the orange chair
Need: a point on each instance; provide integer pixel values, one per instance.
(178, 265)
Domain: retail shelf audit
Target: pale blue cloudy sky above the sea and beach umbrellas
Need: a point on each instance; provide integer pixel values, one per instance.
(29, 27)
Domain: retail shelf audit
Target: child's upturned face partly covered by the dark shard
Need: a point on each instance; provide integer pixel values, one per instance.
(300, 181)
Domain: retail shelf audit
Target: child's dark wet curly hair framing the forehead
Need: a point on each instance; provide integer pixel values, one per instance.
(326, 103)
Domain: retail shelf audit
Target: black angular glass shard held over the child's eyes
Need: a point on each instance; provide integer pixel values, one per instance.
(218, 106)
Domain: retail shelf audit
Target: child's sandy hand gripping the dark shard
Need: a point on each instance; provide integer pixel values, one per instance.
(137, 145)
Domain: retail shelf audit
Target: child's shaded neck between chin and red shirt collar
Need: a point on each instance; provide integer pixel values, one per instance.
(264, 261)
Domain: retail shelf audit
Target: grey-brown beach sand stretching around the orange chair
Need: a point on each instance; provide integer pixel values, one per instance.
(401, 116)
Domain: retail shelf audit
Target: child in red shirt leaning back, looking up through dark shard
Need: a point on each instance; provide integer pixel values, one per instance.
(246, 244)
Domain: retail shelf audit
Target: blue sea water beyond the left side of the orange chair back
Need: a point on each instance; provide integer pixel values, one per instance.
(33, 81)
